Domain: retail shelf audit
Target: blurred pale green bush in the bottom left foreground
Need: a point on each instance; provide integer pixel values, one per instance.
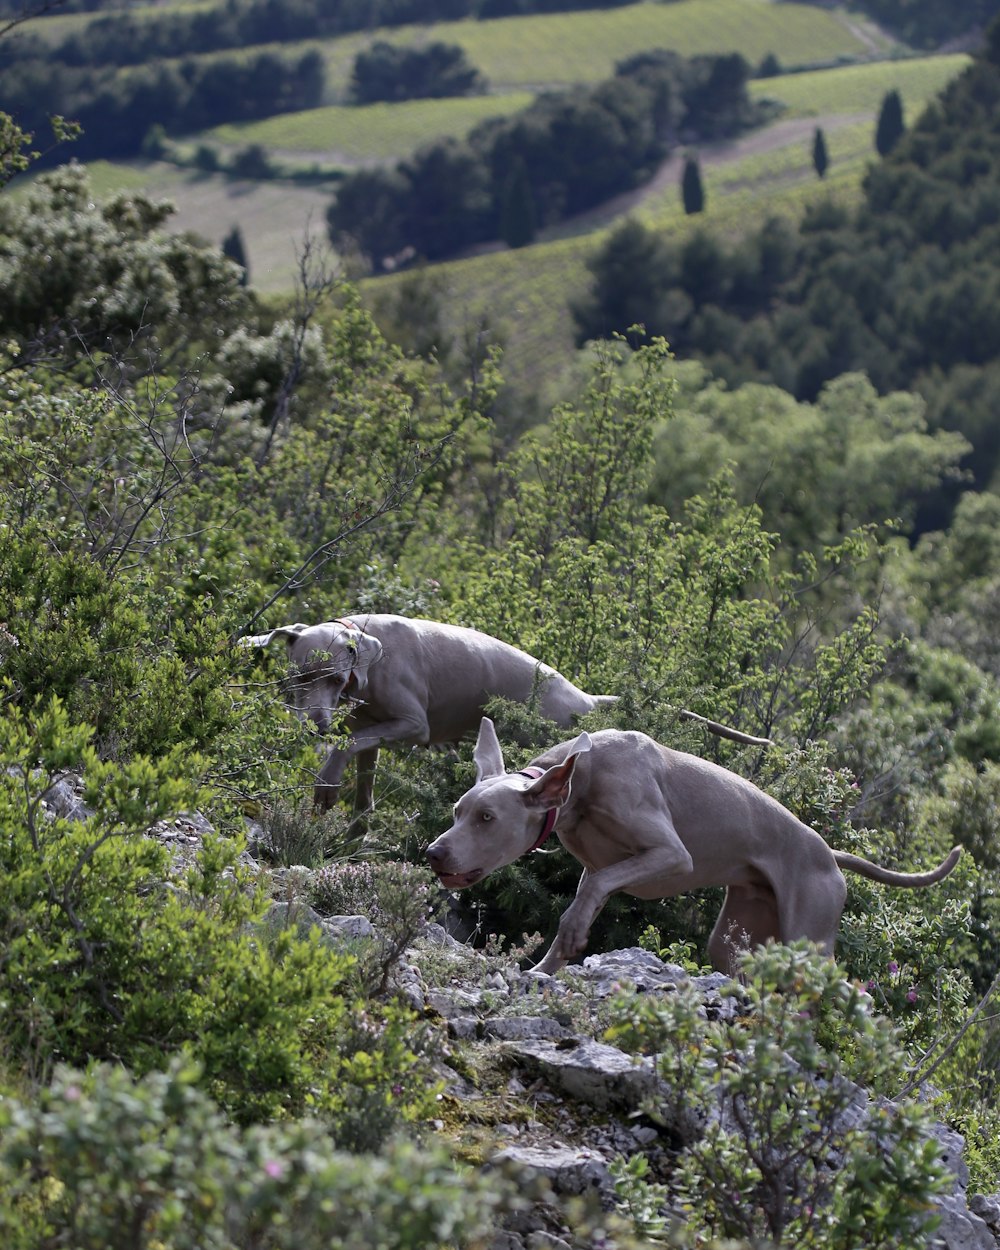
(117, 1164)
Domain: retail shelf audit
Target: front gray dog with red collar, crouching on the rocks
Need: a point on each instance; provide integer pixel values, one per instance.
(653, 823)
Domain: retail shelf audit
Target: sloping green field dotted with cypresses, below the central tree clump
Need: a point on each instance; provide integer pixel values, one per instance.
(526, 296)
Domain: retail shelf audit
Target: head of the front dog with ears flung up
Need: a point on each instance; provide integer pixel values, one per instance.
(502, 817)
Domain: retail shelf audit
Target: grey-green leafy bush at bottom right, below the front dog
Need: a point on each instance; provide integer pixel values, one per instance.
(787, 1148)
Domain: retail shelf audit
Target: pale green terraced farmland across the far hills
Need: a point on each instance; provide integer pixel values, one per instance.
(527, 293)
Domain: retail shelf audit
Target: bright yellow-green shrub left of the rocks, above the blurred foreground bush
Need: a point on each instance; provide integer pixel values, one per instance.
(111, 954)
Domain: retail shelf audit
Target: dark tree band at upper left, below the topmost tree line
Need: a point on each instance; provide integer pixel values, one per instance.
(117, 109)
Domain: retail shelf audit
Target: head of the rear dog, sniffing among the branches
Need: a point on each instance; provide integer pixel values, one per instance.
(329, 663)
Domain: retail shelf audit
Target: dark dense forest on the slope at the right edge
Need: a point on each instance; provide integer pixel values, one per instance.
(907, 288)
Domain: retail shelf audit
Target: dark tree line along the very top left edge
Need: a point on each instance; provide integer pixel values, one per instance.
(124, 39)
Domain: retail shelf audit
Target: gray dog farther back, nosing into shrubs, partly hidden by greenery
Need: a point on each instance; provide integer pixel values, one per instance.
(411, 683)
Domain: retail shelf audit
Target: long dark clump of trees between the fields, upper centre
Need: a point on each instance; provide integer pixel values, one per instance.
(569, 152)
